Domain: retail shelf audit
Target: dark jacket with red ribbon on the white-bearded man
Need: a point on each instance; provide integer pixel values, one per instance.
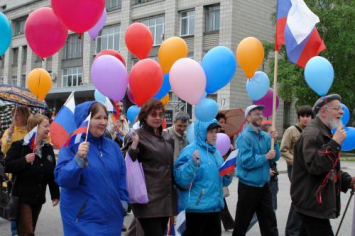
(315, 155)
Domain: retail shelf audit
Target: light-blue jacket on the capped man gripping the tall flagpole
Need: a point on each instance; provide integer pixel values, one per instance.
(253, 168)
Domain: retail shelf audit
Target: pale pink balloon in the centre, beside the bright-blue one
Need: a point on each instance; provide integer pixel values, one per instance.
(188, 80)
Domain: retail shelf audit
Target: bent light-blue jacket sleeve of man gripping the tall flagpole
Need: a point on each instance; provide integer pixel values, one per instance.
(246, 158)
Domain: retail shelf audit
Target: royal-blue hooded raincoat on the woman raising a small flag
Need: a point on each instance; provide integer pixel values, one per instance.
(93, 198)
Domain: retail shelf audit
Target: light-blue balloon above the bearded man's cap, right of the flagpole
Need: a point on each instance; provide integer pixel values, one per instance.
(319, 74)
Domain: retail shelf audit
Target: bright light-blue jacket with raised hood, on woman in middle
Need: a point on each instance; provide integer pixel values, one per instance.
(206, 194)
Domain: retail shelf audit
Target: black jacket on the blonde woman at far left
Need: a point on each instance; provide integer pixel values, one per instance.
(32, 179)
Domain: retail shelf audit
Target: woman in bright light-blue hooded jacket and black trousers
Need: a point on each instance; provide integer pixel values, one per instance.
(196, 171)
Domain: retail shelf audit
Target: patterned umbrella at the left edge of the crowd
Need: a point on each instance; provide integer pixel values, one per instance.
(21, 96)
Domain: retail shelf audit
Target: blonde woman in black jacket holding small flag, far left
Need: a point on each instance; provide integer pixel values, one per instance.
(32, 170)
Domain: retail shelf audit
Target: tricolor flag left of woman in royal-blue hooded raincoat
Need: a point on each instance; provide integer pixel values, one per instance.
(64, 123)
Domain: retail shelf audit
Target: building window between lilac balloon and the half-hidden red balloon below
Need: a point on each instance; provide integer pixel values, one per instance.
(109, 38)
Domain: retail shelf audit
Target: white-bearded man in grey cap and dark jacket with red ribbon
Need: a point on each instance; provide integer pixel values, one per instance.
(316, 178)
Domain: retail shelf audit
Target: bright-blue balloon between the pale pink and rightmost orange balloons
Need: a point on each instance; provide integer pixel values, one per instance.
(219, 65)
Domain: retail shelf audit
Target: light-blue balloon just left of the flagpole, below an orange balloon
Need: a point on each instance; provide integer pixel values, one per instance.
(258, 86)
